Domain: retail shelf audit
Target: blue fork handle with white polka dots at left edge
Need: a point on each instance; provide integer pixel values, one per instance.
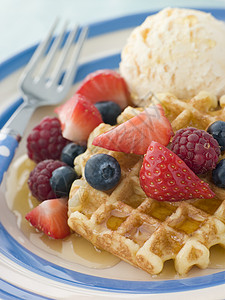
(8, 145)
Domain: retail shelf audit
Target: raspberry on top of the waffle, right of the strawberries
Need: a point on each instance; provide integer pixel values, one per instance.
(197, 148)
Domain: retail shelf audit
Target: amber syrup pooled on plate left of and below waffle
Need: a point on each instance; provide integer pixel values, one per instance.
(73, 248)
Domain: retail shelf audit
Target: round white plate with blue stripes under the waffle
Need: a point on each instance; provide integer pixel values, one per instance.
(29, 272)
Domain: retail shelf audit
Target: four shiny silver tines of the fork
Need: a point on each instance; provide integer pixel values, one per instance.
(53, 53)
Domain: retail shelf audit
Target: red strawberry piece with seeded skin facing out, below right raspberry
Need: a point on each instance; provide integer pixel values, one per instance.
(165, 177)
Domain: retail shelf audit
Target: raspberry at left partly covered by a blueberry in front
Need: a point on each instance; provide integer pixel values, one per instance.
(39, 179)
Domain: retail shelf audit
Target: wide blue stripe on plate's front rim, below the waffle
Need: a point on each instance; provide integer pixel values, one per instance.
(38, 265)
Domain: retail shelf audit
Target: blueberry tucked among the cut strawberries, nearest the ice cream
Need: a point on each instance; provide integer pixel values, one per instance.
(109, 111)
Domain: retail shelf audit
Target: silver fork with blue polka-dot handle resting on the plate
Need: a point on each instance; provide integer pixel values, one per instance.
(41, 90)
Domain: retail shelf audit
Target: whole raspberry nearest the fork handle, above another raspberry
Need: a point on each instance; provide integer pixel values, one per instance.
(46, 141)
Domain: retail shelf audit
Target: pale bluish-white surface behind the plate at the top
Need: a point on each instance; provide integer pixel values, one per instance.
(24, 22)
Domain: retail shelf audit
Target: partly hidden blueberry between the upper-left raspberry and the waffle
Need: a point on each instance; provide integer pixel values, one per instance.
(71, 151)
